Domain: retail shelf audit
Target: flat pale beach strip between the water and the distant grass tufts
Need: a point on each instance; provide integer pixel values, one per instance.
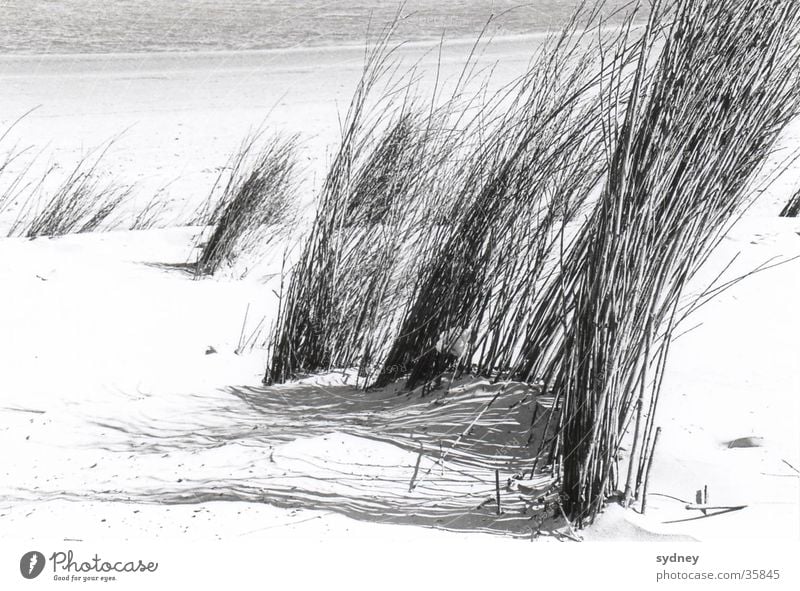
(176, 118)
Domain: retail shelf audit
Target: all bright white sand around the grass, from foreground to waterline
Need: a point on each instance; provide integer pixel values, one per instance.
(105, 344)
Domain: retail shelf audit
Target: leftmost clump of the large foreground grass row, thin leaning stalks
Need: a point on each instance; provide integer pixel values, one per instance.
(371, 213)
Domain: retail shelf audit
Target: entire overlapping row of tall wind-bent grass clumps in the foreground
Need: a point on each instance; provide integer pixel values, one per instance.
(546, 233)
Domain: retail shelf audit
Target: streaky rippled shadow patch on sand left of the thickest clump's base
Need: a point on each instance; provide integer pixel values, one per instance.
(382, 457)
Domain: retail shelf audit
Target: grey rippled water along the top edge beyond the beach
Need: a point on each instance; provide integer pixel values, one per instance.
(123, 26)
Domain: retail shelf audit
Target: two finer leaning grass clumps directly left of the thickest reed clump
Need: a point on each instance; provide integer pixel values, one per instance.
(413, 195)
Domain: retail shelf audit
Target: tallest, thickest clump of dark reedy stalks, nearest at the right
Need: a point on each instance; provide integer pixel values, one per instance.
(700, 124)
